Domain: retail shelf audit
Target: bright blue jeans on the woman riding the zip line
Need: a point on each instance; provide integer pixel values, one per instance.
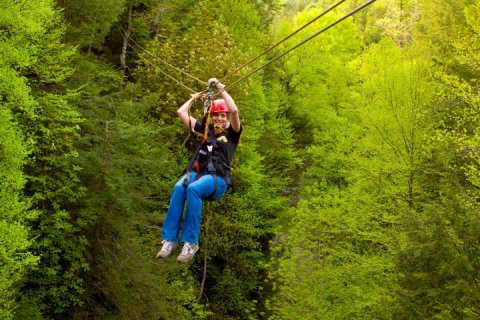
(192, 195)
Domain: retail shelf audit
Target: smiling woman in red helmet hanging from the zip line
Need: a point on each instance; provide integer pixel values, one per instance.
(210, 179)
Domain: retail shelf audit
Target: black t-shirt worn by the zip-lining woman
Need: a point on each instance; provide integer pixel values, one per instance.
(224, 147)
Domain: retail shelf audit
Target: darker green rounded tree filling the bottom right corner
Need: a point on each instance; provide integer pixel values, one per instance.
(439, 262)
